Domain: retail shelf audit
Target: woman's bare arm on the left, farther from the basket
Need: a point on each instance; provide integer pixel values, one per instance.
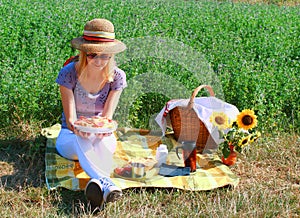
(68, 103)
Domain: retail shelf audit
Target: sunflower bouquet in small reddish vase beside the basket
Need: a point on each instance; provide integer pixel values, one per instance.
(236, 134)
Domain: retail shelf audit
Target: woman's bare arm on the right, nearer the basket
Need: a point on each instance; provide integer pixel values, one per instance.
(111, 103)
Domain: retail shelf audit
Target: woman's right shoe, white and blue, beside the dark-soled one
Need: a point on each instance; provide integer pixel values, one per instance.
(111, 192)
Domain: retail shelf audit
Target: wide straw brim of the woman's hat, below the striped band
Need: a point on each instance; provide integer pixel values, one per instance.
(104, 47)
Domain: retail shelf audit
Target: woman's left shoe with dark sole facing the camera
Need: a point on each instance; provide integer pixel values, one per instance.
(94, 194)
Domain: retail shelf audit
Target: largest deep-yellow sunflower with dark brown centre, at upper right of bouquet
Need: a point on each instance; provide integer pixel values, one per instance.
(246, 119)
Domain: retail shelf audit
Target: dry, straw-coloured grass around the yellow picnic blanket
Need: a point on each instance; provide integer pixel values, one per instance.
(269, 187)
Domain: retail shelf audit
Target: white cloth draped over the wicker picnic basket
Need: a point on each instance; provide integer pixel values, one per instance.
(204, 107)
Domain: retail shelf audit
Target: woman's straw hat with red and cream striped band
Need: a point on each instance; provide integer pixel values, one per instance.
(98, 36)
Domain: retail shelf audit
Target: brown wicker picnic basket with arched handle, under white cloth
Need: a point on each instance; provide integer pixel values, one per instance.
(186, 124)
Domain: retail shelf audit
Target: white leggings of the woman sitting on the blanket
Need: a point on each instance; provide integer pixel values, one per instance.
(95, 156)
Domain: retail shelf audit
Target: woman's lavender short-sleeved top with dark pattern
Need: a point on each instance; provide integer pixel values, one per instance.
(88, 104)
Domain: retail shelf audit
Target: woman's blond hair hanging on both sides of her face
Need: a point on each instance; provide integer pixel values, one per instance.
(108, 69)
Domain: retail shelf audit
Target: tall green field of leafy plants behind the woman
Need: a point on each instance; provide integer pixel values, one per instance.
(253, 52)
